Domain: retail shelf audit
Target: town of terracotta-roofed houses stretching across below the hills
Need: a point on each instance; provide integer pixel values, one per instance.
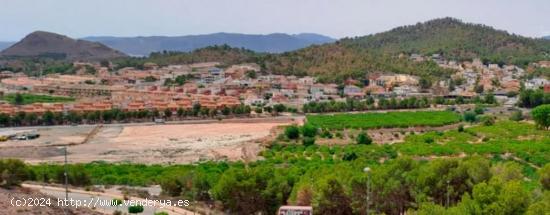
(171, 88)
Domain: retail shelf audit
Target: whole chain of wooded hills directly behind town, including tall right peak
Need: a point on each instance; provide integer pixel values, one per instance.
(356, 57)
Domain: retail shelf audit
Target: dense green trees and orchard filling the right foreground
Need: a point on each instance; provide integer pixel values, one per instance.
(331, 178)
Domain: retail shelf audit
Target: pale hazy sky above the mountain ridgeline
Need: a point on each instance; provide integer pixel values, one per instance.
(335, 18)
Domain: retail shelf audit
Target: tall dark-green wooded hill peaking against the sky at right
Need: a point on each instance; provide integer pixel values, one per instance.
(455, 39)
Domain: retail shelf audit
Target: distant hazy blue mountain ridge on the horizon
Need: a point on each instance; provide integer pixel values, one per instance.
(271, 43)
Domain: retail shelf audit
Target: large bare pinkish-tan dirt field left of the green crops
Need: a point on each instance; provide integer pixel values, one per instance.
(169, 143)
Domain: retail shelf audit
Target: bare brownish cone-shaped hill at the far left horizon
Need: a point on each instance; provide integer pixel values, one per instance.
(51, 45)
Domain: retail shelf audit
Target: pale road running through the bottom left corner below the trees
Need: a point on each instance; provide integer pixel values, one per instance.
(86, 196)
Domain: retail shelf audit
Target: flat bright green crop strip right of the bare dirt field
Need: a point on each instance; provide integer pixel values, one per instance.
(384, 120)
